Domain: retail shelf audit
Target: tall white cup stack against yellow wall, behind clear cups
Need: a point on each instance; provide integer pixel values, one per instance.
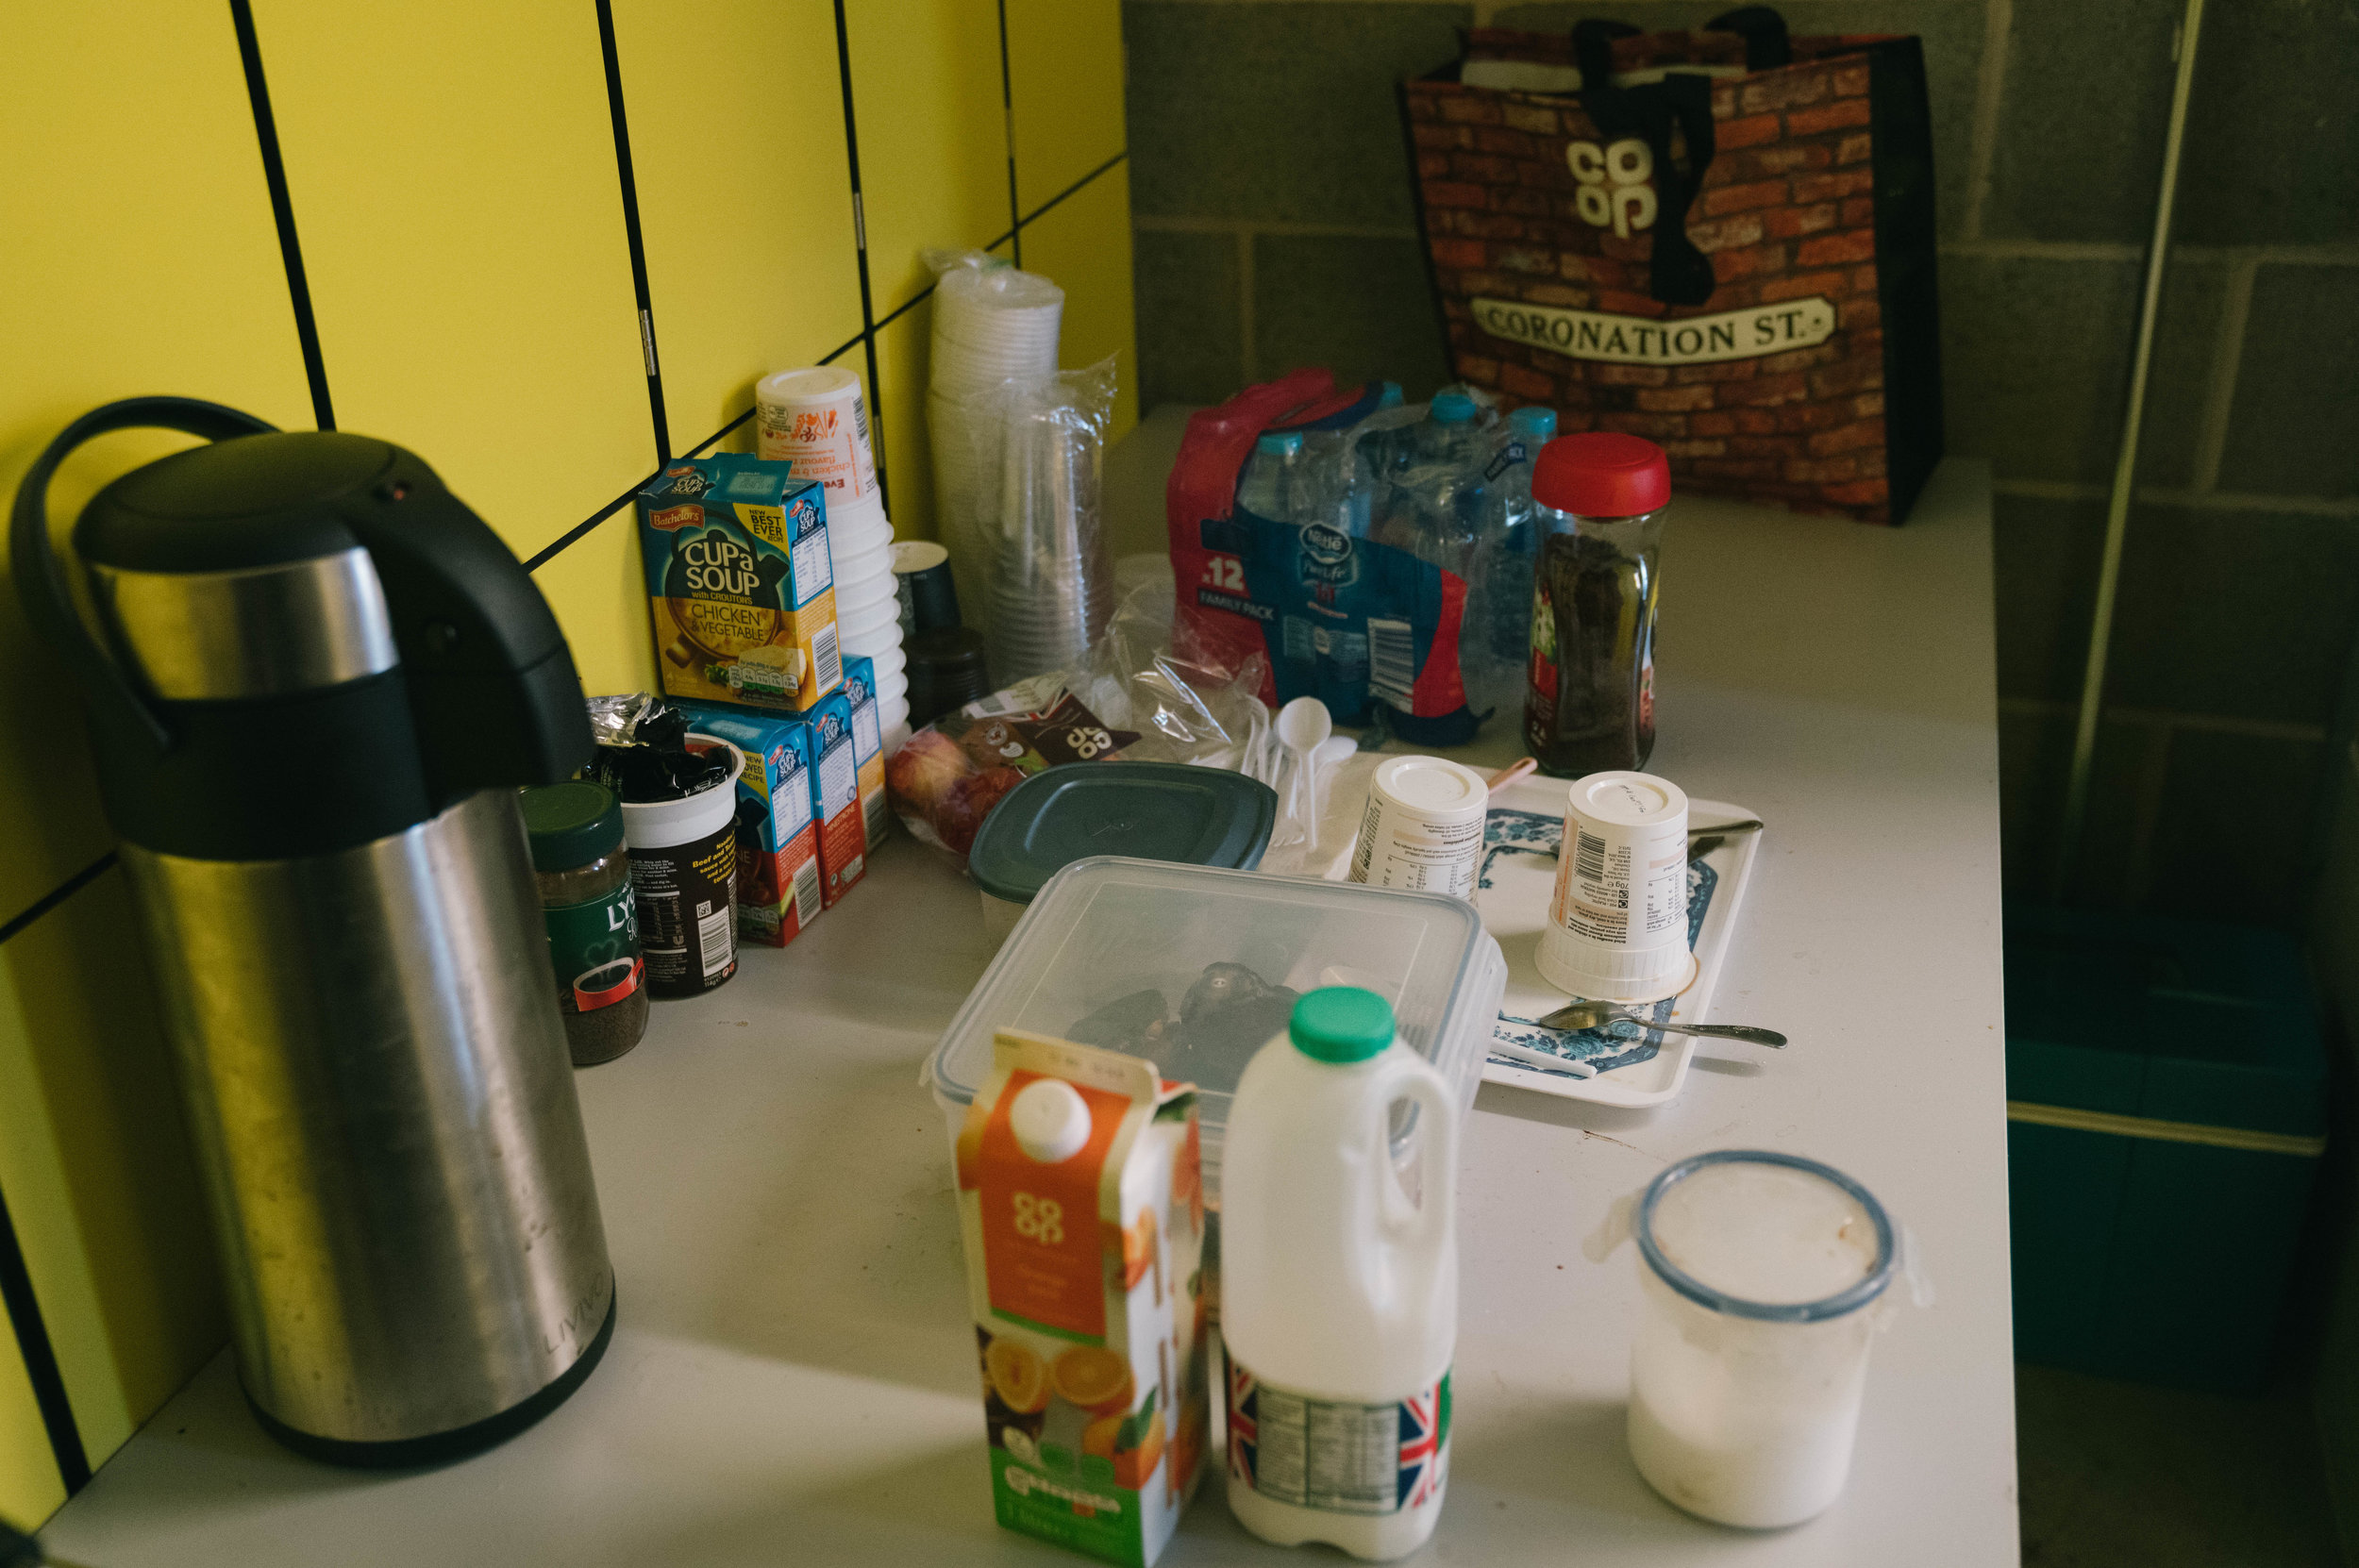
(990, 329)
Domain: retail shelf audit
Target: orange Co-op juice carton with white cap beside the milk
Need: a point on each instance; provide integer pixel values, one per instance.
(1082, 1206)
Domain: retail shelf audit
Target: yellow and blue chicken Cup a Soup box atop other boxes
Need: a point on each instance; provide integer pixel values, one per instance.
(740, 584)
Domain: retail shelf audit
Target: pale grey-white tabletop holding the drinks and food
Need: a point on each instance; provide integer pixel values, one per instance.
(794, 1371)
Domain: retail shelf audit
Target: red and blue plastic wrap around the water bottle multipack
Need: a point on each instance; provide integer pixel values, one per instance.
(1332, 614)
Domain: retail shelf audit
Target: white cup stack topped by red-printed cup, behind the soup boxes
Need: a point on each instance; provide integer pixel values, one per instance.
(817, 421)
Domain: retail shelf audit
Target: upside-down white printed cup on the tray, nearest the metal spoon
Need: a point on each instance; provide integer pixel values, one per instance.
(1617, 925)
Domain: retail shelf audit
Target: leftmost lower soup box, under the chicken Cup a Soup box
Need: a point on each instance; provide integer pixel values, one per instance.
(777, 831)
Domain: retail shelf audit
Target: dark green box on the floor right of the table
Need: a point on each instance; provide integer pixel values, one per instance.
(2167, 1112)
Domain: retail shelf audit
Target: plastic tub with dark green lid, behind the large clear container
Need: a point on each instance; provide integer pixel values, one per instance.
(1143, 810)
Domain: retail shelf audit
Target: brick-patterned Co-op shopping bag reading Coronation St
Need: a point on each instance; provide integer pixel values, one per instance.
(1721, 242)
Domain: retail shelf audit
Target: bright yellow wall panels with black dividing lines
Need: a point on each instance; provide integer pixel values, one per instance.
(459, 216)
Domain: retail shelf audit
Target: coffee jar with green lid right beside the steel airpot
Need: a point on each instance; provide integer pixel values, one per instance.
(586, 900)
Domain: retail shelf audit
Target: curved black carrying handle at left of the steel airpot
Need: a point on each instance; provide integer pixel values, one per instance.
(41, 577)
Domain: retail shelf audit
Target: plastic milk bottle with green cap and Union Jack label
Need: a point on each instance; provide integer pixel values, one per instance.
(1339, 1293)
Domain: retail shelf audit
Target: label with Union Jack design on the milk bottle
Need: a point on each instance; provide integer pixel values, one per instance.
(1339, 1458)
